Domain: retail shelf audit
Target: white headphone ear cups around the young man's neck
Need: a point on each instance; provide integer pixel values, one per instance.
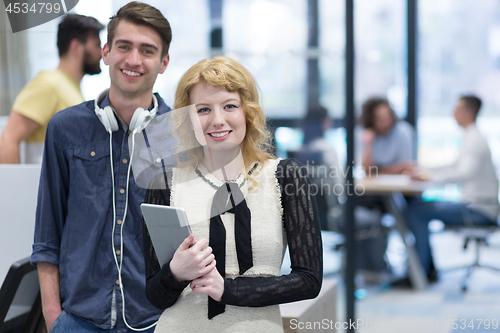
(140, 119)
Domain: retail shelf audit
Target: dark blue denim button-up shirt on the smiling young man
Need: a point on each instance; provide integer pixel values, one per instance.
(74, 219)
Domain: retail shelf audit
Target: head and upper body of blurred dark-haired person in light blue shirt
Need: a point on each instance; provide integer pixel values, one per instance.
(387, 143)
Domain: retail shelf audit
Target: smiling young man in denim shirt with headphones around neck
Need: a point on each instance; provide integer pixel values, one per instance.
(88, 232)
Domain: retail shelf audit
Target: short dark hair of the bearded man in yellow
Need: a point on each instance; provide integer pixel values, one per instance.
(75, 26)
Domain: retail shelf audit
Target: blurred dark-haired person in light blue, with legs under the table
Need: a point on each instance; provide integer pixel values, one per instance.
(386, 146)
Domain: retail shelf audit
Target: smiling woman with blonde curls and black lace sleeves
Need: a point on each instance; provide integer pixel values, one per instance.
(241, 202)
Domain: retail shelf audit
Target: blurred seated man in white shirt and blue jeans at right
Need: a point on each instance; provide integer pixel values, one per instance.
(474, 171)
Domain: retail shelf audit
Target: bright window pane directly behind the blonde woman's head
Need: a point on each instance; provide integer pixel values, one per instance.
(269, 38)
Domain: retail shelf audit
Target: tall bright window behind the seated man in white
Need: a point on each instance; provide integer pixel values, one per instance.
(459, 53)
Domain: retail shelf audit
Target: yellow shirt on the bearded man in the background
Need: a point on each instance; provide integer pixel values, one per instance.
(44, 96)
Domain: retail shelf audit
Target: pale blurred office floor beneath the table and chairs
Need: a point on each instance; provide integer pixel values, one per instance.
(442, 308)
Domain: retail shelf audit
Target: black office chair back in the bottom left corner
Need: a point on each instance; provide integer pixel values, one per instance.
(20, 303)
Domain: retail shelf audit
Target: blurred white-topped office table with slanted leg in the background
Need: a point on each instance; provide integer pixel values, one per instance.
(392, 189)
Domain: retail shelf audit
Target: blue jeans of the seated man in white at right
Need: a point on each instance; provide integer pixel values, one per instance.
(451, 213)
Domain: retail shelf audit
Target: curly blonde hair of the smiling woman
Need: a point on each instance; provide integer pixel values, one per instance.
(227, 73)
